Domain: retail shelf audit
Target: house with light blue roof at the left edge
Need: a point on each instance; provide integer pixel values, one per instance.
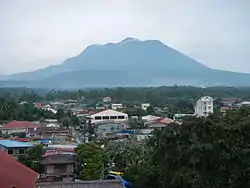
(13, 147)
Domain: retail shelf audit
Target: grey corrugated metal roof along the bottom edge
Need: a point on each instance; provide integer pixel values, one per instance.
(83, 184)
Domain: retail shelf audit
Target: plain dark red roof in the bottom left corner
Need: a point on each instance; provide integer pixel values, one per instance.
(15, 174)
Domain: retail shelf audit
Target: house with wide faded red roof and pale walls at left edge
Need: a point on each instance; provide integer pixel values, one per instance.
(19, 127)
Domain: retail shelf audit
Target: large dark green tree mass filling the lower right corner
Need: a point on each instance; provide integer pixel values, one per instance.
(211, 152)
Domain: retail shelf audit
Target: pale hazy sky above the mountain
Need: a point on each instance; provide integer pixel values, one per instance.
(38, 33)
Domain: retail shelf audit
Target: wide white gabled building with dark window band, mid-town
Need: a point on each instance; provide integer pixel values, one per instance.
(109, 116)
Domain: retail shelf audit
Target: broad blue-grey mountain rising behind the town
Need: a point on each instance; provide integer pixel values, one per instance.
(130, 62)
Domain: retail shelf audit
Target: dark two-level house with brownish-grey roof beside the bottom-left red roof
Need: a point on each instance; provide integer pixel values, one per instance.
(59, 165)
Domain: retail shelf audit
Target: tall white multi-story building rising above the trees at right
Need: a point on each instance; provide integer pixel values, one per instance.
(204, 106)
